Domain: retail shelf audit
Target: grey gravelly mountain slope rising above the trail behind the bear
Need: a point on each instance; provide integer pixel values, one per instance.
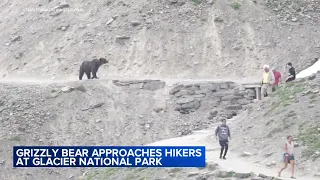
(163, 39)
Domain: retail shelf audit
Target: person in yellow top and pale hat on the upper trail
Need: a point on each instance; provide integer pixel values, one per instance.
(267, 81)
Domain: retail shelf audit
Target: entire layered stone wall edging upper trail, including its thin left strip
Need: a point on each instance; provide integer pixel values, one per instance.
(221, 100)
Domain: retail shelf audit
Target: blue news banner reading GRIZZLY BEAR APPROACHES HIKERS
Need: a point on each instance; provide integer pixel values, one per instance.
(109, 156)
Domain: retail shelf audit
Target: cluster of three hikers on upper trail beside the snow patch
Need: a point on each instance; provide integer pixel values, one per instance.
(271, 79)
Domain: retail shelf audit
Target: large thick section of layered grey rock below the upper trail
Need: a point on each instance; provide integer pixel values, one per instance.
(221, 99)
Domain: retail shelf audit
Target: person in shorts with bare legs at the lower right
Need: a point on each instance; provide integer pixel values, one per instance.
(288, 156)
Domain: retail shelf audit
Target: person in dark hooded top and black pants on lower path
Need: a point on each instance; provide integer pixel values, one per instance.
(223, 132)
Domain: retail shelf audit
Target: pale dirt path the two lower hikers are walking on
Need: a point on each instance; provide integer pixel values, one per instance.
(234, 161)
